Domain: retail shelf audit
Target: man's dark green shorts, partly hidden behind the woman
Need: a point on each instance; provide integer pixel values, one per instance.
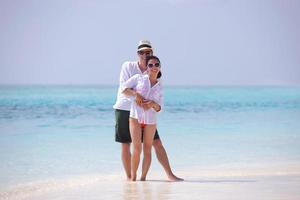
(122, 133)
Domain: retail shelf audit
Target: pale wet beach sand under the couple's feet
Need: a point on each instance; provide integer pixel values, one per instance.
(209, 184)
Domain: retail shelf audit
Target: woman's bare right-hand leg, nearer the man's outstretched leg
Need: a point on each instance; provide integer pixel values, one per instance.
(148, 136)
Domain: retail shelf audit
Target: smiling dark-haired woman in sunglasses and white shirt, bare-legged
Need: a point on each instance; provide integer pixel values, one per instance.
(147, 90)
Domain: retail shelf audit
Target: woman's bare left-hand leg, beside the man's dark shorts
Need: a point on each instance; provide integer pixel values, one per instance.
(136, 134)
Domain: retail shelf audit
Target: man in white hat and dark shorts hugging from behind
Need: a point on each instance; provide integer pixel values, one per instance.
(122, 111)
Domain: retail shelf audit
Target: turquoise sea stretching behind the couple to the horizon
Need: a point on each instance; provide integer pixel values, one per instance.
(64, 131)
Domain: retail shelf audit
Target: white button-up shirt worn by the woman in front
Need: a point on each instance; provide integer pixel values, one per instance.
(141, 84)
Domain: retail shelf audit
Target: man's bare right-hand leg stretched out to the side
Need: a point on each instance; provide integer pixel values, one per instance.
(162, 157)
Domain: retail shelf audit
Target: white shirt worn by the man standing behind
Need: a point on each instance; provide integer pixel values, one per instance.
(128, 70)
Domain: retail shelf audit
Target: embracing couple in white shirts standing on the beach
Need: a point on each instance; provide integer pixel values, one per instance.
(139, 98)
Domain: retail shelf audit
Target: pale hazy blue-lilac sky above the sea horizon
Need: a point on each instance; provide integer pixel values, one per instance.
(204, 42)
